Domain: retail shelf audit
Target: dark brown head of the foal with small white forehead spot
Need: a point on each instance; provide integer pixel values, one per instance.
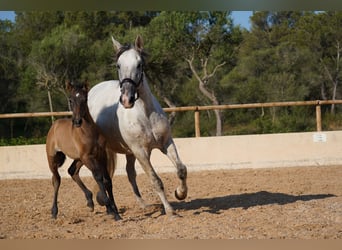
(78, 101)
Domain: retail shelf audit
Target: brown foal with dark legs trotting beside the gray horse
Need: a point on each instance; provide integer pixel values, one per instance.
(80, 139)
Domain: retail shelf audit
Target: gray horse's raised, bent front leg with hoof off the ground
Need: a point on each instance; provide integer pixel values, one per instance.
(171, 151)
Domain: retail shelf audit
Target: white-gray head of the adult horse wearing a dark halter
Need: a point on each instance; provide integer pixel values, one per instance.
(130, 64)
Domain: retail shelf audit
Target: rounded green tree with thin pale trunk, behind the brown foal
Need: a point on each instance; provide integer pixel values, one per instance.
(61, 55)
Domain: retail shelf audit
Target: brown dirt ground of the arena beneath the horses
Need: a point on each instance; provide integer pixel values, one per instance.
(282, 203)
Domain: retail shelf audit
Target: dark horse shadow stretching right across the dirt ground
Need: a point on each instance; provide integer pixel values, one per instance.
(245, 201)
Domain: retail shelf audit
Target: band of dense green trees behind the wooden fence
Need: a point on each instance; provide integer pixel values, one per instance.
(286, 56)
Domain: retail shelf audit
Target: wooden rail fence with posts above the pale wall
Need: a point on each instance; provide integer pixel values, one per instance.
(197, 109)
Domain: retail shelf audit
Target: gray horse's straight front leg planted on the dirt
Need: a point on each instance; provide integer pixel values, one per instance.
(144, 160)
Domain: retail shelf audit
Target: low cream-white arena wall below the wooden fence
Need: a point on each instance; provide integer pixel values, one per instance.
(209, 153)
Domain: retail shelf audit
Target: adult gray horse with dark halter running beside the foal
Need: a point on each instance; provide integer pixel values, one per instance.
(133, 121)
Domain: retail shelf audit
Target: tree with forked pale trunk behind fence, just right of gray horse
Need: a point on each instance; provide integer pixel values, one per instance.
(213, 43)
